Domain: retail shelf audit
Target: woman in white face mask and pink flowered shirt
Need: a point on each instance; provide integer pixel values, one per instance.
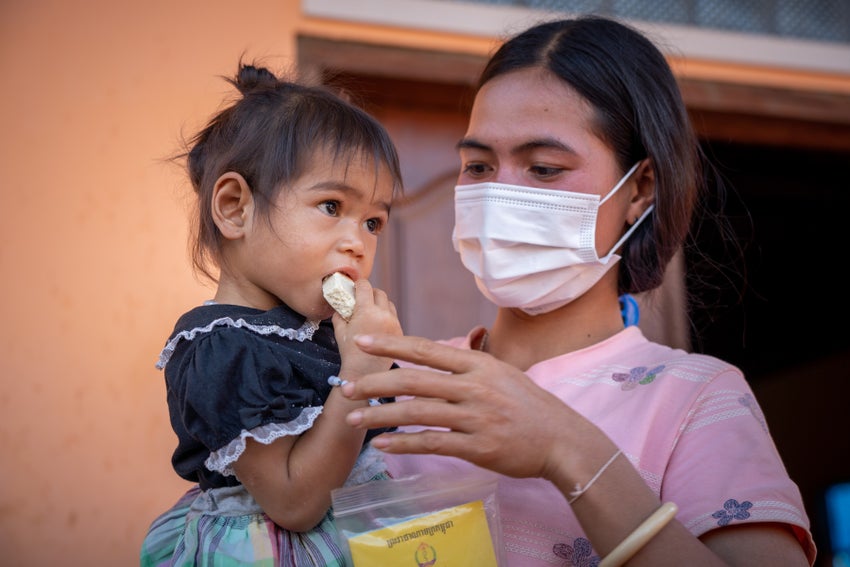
(580, 175)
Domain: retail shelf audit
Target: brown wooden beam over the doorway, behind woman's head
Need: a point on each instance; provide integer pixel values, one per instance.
(721, 107)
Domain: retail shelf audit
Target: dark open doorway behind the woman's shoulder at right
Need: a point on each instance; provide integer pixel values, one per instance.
(778, 313)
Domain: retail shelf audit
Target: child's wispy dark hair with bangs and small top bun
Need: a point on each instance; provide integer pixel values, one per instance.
(270, 136)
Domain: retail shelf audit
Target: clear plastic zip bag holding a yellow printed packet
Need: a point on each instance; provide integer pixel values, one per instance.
(421, 520)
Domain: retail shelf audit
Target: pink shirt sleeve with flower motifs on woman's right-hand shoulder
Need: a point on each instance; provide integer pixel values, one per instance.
(726, 425)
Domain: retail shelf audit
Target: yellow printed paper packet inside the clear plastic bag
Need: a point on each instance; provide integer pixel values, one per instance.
(454, 537)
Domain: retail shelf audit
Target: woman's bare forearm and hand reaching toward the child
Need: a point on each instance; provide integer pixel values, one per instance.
(492, 410)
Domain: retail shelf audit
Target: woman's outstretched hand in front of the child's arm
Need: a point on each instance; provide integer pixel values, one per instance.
(491, 413)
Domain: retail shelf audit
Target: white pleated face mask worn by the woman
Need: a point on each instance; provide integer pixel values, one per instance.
(532, 248)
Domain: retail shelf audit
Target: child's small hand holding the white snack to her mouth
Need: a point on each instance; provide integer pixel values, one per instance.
(373, 313)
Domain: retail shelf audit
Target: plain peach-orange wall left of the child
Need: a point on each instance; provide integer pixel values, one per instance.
(93, 256)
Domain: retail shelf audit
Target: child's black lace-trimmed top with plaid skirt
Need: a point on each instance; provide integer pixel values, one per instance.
(231, 373)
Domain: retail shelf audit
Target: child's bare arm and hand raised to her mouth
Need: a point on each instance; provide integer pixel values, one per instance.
(292, 477)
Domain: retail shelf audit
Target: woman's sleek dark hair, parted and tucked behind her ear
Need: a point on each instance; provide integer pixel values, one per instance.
(638, 111)
